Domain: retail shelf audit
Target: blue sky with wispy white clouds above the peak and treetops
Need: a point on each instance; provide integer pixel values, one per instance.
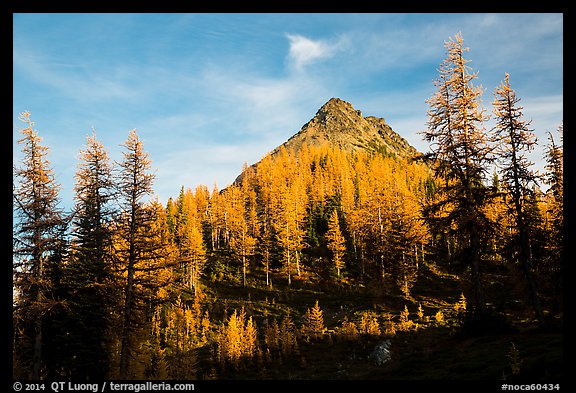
(208, 92)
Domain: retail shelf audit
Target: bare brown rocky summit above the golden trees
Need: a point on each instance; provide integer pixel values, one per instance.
(339, 124)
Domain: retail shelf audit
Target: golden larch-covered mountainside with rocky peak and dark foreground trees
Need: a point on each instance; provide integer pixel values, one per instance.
(343, 254)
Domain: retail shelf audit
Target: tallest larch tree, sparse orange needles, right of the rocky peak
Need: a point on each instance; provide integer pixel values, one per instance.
(461, 155)
